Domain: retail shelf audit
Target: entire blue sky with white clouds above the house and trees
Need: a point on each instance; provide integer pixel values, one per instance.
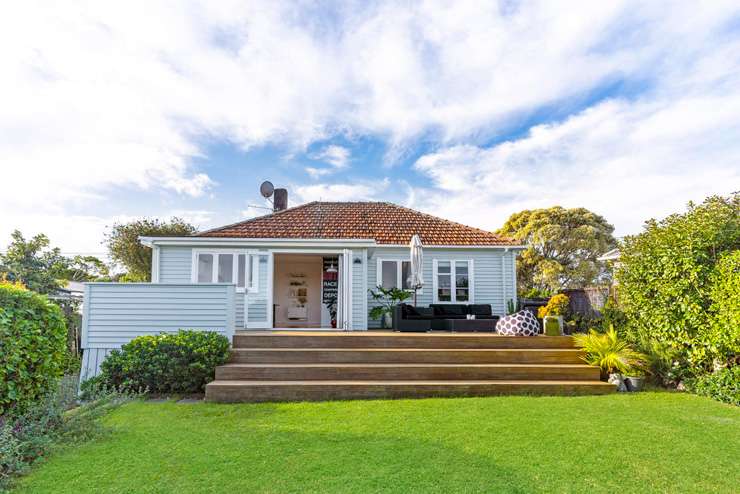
(468, 110)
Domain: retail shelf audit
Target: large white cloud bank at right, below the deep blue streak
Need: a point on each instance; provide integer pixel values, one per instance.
(626, 161)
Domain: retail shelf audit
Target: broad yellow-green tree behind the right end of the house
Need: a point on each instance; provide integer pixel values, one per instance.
(562, 247)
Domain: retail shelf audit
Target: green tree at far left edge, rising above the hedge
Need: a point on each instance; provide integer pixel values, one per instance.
(33, 263)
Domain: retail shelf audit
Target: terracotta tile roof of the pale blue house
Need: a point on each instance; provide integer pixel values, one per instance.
(383, 222)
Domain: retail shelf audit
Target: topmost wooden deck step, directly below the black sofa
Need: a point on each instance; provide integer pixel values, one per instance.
(387, 339)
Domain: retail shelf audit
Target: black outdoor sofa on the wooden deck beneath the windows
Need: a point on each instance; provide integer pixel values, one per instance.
(444, 317)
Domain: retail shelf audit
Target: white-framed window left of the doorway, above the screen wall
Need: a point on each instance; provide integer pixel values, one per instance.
(220, 266)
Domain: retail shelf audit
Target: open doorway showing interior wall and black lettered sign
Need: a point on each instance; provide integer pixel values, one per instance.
(305, 291)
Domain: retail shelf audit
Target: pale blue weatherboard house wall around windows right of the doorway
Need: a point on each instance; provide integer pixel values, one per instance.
(493, 274)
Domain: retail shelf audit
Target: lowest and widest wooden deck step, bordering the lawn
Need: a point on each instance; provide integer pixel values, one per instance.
(255, 391)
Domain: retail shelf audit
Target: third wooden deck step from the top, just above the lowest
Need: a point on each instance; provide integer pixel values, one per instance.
(406, 372)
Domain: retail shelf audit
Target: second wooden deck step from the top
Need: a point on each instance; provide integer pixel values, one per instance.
(407, 355)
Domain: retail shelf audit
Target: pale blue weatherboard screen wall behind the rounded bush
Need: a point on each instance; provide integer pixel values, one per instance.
(115, 313)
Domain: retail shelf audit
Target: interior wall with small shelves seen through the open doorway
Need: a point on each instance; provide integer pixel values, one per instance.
(288, 269)
